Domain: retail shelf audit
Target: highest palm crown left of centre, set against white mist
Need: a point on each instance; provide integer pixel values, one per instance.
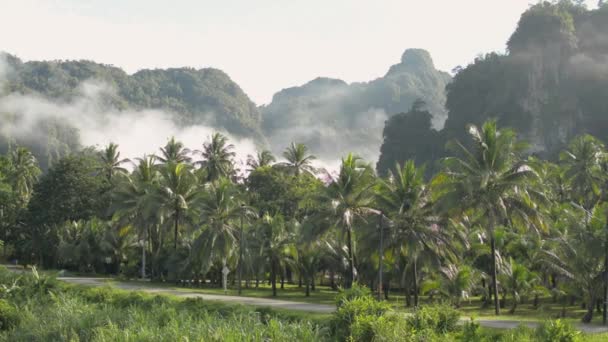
(218, 158)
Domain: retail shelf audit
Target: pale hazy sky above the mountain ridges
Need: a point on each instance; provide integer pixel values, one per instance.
(264, 45)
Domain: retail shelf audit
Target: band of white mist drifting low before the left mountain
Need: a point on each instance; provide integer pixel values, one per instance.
(137, 132)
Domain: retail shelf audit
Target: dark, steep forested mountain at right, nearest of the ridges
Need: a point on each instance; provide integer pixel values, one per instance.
(550, 86)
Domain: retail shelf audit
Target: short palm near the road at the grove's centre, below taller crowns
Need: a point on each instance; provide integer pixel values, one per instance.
(276, 246)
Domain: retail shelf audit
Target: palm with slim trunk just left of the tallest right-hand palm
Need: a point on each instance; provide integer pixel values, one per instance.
(406, 200)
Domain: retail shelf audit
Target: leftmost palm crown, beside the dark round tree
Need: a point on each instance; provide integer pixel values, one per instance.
(24, 172)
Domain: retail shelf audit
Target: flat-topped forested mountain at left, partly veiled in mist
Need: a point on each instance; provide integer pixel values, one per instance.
(190, 97)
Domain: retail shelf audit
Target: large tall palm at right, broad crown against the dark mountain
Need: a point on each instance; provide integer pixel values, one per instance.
(492, 181)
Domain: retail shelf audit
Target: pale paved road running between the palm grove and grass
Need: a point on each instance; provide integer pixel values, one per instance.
(275, 303)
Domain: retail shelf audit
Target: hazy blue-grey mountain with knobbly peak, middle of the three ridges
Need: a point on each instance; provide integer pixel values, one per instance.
(334, 118)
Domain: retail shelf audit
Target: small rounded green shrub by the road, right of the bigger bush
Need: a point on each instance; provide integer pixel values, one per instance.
(441, 319)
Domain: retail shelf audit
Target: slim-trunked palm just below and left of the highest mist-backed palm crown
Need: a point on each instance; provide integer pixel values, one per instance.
(176, 195)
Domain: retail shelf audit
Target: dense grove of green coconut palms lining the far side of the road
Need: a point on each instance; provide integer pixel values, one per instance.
(494, 222)
